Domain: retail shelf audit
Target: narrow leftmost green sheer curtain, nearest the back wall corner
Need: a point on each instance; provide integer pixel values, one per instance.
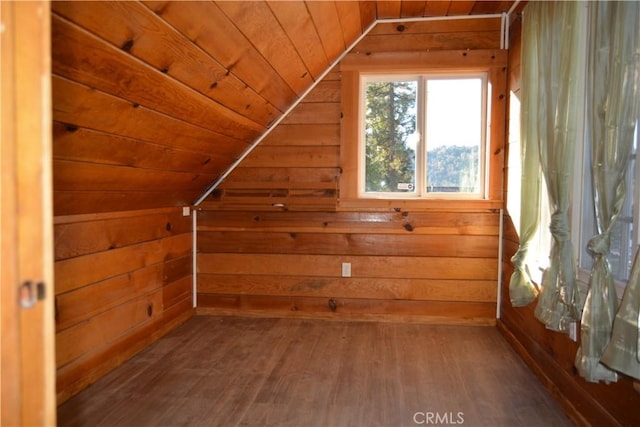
(522, 291)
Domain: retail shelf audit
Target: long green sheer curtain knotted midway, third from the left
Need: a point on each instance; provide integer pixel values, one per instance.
(612, 98)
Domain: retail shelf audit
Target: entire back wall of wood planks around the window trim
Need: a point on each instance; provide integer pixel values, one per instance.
(258, 259)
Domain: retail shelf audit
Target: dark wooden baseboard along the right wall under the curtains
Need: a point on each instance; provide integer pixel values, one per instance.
(579, 406)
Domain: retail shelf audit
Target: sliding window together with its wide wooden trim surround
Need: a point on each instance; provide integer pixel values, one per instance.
(411, 165)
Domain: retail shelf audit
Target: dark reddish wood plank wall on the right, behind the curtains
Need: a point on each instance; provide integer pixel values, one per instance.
(549, 354)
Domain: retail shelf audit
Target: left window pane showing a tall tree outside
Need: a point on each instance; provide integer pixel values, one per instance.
(390, 136)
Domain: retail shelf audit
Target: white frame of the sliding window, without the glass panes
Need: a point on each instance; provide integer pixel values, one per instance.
(421, 167)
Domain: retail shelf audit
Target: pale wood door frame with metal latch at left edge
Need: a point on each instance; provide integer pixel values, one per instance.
(26, 222)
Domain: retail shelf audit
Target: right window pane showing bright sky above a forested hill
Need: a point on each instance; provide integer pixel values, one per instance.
(454, 135)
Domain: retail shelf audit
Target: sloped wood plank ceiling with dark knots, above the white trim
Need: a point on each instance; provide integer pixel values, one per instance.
(154, 101)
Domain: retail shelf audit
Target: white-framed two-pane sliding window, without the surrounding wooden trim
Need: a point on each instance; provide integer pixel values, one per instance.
(423, 135)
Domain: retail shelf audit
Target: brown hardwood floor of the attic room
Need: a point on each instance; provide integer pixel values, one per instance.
(226, 371)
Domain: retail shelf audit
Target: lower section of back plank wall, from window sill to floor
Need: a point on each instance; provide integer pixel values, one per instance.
(289, 264)
